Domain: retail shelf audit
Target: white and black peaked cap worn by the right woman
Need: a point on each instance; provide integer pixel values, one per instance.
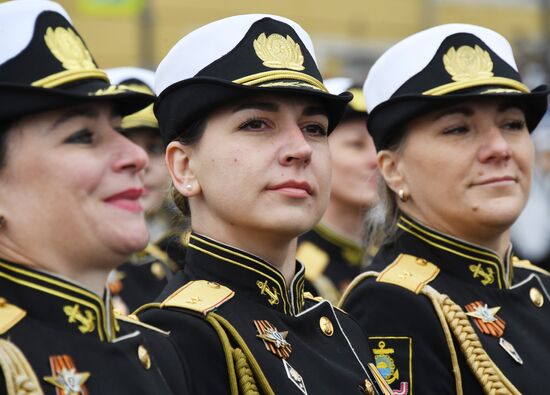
(439, 67)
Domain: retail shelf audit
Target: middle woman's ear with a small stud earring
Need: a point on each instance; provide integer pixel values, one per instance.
(178, 163)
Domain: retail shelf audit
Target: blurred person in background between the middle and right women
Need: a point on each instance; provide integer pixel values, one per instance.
(332, 252)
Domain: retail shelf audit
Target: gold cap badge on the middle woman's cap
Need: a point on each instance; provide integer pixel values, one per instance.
(278, 52)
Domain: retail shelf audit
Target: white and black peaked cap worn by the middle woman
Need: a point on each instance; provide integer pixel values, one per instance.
(233, 58)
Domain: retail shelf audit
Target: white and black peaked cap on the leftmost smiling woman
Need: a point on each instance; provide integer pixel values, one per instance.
(45, 64)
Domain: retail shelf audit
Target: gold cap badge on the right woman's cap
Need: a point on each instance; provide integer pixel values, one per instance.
(467, 63)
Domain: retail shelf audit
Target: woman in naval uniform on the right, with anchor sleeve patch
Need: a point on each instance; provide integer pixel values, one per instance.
(447, 307)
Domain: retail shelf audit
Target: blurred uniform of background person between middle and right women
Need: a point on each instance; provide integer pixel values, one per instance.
(331, 261)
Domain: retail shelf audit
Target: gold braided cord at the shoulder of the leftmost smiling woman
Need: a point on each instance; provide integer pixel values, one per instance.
(18, 373)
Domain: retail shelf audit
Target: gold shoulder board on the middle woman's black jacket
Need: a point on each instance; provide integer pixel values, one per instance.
(201, 296)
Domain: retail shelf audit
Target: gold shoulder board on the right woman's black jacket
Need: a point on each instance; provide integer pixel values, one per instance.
(409, 272)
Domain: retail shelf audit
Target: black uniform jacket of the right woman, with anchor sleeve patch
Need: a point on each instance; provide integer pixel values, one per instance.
(432, 302)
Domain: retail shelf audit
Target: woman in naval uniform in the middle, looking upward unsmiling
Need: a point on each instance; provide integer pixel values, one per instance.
(243, 109)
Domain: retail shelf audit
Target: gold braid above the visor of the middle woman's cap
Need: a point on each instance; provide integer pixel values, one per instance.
(299, 79)
